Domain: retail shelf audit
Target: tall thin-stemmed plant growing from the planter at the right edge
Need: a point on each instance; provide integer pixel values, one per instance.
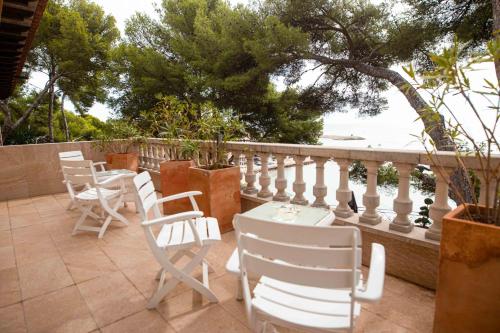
(451, 77)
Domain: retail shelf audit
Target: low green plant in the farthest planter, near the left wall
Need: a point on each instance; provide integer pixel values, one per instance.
(119, 137)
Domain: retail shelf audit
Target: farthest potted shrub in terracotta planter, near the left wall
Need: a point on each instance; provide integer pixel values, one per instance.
(119, 142)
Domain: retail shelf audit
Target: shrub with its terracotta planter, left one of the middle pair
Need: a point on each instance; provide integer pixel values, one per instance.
(177, 123)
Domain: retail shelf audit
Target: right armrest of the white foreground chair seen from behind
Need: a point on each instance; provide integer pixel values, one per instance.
(375, 284)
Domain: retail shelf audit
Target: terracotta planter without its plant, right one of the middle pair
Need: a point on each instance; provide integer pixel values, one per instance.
(221, 193)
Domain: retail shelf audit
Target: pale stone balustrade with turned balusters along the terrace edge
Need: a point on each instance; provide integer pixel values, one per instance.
(156, 150)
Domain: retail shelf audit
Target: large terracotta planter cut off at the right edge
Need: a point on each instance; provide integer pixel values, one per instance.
(468, 290)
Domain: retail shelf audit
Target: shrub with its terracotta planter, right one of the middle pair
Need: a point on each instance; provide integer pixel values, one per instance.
(219, 181)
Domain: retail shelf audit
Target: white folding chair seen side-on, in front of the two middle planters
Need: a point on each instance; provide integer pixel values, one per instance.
(178, 235)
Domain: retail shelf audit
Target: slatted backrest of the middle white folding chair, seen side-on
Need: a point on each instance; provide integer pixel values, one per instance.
(147, 196)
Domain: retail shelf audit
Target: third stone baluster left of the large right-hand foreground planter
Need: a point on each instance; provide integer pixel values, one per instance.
(371, 199)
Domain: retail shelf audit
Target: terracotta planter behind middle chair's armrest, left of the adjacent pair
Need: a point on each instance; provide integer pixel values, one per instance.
(174, 179)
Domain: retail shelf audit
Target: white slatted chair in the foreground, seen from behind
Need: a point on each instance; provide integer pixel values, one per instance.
(309, 275)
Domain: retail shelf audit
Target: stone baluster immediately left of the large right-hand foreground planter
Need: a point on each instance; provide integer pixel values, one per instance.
(440, 206)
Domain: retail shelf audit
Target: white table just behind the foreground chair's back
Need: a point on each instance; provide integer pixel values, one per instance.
(281, 212)
